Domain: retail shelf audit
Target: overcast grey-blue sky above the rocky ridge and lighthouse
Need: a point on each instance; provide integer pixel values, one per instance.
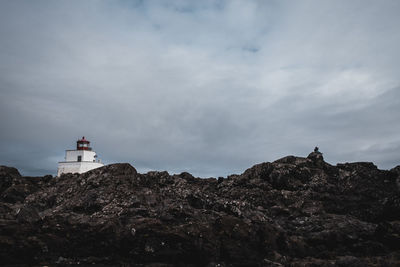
(208, 87)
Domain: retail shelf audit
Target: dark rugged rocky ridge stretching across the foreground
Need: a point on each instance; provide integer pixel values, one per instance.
(291, 212)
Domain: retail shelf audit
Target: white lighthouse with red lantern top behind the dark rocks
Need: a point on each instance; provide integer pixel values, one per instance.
(80, 160)
